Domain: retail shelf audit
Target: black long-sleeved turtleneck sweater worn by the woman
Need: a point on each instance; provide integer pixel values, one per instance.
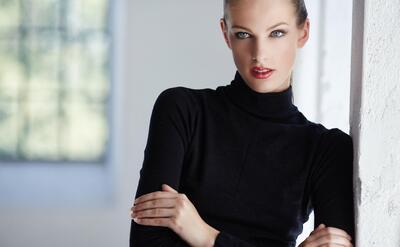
(251, 163)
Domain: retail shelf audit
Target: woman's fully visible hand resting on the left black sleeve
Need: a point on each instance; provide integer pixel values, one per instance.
(174, 210)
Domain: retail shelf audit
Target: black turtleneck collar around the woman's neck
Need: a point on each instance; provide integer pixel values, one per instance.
(269, 105)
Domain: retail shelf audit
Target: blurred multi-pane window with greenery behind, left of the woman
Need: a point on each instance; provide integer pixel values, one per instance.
(54, 80)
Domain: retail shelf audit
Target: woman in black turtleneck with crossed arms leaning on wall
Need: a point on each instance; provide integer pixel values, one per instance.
(241, 165)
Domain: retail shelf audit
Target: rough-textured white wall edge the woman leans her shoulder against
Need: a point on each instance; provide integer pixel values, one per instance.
(375, 121)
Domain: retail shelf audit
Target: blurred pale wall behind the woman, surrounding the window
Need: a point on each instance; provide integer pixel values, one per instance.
(161, 44)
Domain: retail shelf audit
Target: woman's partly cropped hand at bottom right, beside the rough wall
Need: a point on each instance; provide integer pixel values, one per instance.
(327, 236)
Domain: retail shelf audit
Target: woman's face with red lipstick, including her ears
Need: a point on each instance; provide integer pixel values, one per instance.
(263, 36)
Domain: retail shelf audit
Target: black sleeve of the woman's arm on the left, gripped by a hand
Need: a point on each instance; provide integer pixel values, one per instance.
(163, 159)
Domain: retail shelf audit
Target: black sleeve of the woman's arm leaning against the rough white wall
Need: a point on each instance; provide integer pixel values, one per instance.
(332, 182)
